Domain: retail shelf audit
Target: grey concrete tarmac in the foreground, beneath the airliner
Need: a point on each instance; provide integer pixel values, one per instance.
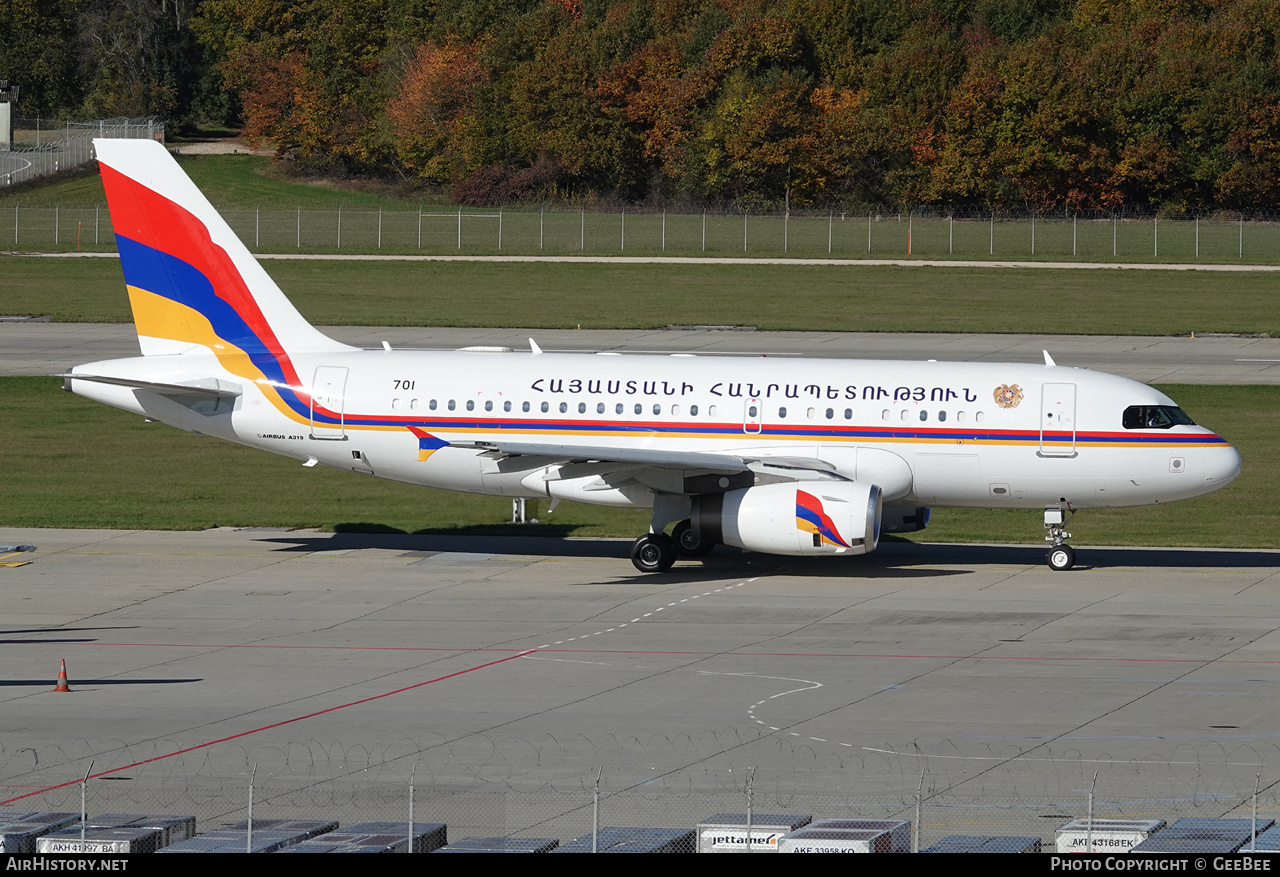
(510, 670)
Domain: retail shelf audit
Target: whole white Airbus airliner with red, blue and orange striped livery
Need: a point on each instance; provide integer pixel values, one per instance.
(798, 458)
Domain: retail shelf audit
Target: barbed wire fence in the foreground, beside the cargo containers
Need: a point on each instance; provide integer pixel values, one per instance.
(509, 787)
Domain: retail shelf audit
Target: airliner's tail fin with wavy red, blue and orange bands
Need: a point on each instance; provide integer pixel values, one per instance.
(193, 285)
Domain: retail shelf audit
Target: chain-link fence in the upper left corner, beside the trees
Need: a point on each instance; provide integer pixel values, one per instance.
(45, 147)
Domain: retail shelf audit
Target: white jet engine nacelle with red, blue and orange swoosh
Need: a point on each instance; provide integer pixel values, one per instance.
(811, 518)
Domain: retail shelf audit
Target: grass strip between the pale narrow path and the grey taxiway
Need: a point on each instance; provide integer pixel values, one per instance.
(801, 298)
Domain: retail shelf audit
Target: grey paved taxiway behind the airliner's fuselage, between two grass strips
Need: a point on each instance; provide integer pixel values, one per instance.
(43, 349)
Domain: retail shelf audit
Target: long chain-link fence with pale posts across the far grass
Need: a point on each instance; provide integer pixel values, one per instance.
(436, 231)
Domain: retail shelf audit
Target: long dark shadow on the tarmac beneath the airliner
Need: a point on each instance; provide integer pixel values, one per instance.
(895, 558)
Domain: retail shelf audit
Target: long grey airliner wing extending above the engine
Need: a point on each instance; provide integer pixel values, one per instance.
(781, 468)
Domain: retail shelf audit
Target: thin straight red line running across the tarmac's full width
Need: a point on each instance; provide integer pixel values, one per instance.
(697, 655)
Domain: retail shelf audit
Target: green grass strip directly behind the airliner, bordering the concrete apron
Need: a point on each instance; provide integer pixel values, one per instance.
(71, 463)
